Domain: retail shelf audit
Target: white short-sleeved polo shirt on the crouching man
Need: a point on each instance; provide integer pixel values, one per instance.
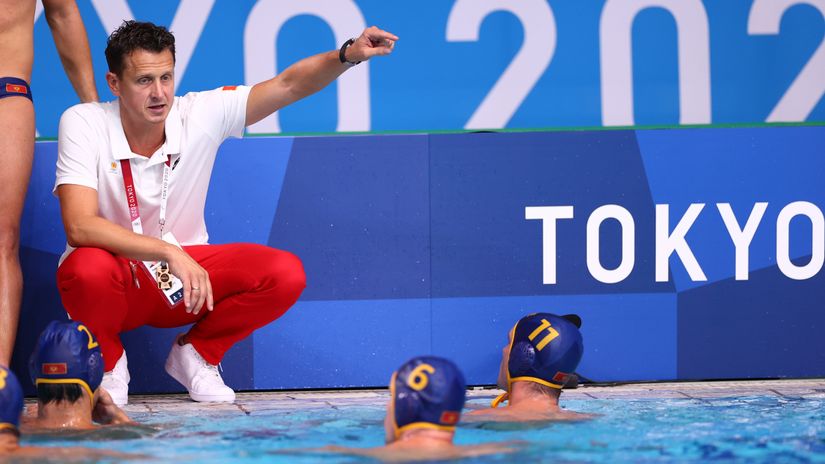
(91, 143)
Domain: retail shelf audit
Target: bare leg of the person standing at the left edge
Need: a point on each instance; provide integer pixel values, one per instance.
(16, 154)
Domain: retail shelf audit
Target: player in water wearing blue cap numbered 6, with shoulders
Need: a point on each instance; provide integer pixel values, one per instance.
(426, 397)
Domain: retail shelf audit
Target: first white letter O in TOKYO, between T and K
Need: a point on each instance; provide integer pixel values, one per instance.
(594, 264)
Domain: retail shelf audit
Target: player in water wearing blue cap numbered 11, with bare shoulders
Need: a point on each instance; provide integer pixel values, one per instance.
(541, 354)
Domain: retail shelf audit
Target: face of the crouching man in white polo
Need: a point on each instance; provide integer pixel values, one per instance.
(146, 88)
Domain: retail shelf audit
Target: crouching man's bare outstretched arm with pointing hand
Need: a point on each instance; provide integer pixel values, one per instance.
(313, 74)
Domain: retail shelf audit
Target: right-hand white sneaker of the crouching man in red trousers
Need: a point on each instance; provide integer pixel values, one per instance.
(202, 379)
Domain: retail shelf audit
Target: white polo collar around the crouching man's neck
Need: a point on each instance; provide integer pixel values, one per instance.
(120, 146)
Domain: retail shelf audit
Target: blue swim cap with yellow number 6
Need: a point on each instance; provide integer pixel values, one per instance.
(427, 392)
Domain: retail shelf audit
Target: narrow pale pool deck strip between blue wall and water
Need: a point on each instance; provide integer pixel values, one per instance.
(252, 402)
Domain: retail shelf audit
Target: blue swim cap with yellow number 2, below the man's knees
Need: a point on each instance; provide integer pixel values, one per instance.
(66, 352)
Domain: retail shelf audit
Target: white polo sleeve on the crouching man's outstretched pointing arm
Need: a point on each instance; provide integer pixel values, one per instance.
(221, 112)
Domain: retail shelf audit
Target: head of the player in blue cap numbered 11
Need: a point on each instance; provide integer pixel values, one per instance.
(543, 348)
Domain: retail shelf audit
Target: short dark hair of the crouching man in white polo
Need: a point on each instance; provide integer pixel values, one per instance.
(135, 35)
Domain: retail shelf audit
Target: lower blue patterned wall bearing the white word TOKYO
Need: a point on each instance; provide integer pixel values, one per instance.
(419, 244)
